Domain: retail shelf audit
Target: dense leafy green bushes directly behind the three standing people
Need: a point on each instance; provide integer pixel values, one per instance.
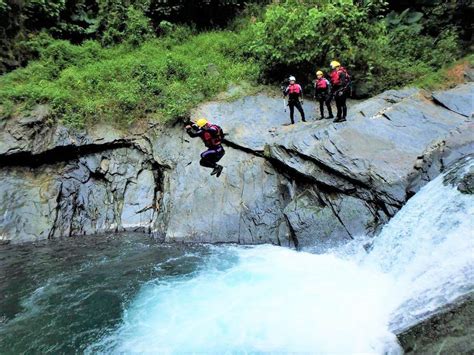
(300, 37)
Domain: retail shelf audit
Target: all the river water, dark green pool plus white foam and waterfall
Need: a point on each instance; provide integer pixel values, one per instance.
(129, 294)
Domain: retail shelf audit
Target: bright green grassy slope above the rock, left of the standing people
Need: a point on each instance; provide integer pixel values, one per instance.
(160, 80)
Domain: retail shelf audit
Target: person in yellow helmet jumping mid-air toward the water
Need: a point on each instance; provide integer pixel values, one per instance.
(212, 136)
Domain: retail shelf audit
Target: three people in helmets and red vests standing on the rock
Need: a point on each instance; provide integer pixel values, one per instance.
(337, 87)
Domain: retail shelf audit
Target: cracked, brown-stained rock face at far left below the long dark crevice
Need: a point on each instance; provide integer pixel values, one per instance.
(107, 191)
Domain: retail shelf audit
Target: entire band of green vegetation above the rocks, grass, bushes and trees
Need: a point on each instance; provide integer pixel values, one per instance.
(130, 64)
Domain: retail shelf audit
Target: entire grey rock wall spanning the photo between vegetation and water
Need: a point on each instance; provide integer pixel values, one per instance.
(309, 184)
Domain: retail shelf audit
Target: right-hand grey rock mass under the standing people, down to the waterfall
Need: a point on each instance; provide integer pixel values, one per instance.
(360, 172)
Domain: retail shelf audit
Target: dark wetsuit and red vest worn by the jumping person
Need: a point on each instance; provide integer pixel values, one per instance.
(212, 140)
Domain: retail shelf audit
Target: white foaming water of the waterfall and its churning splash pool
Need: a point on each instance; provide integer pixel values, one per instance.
(271, 299)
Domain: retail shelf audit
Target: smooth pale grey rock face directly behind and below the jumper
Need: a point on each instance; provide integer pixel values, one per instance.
(243, 206)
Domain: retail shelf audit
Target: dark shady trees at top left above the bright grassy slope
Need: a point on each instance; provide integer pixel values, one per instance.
(109, 21)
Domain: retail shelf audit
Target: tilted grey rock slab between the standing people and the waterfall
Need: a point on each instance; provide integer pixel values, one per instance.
(376, 153)
